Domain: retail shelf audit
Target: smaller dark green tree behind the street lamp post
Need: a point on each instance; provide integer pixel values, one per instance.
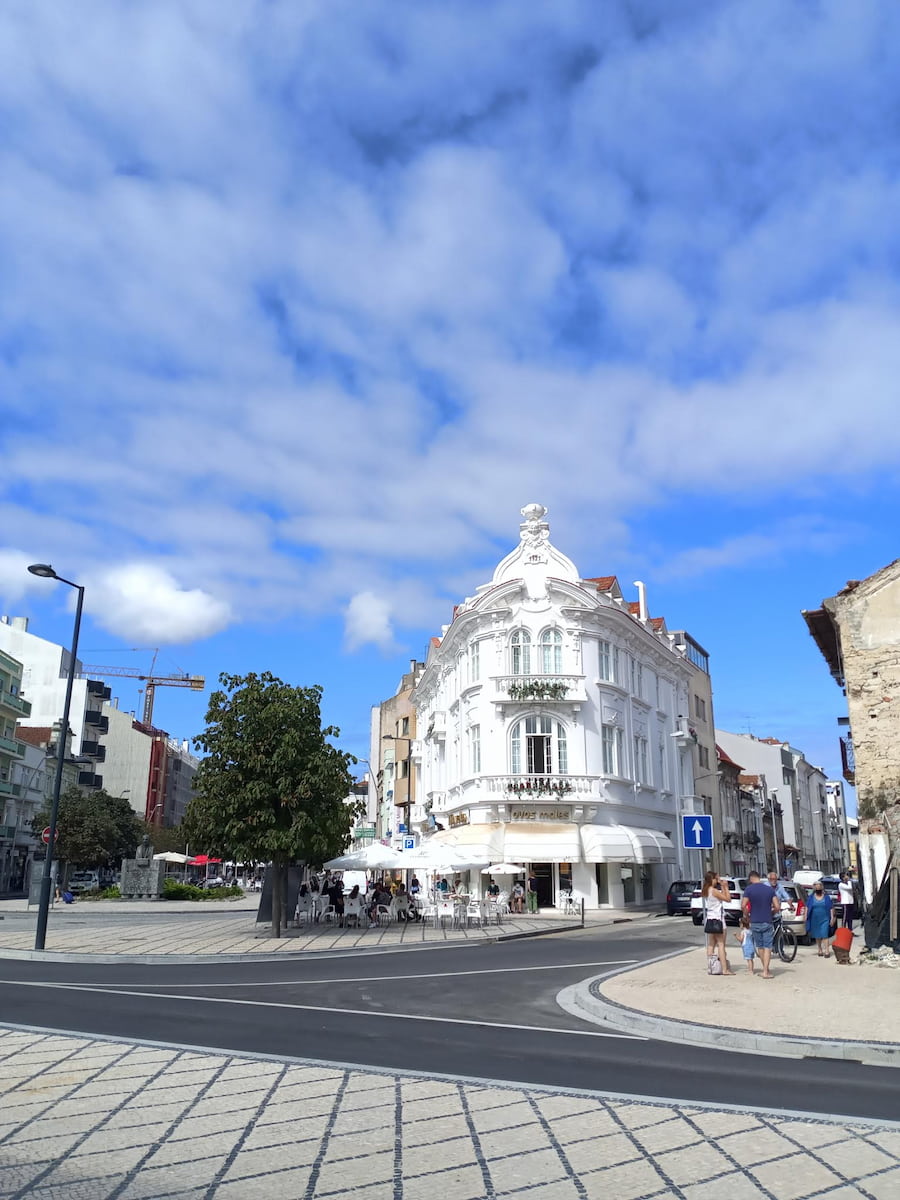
(94, 829)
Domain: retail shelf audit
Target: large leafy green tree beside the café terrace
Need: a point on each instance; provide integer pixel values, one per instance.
(272, 788)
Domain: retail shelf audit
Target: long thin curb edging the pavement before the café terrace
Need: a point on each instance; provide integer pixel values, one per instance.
(161, 961)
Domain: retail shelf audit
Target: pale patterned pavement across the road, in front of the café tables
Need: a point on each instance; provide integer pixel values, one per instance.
(220, 935)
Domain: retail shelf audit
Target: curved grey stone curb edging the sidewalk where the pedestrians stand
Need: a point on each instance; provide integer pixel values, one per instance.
(585, 1000)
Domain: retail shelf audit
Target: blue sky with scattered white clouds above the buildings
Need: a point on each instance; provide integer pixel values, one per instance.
(303, 302)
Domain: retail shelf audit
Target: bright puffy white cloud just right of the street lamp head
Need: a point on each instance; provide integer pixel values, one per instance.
(143, 602)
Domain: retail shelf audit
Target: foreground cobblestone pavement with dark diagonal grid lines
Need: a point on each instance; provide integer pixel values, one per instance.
(87, 1119)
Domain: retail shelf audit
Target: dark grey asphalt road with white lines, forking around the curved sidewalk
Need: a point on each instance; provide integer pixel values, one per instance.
(481, 1011)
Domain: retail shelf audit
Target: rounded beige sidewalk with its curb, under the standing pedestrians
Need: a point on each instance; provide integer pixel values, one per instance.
(812, 1007)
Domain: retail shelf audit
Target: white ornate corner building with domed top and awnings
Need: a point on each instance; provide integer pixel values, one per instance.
(554, 730)
